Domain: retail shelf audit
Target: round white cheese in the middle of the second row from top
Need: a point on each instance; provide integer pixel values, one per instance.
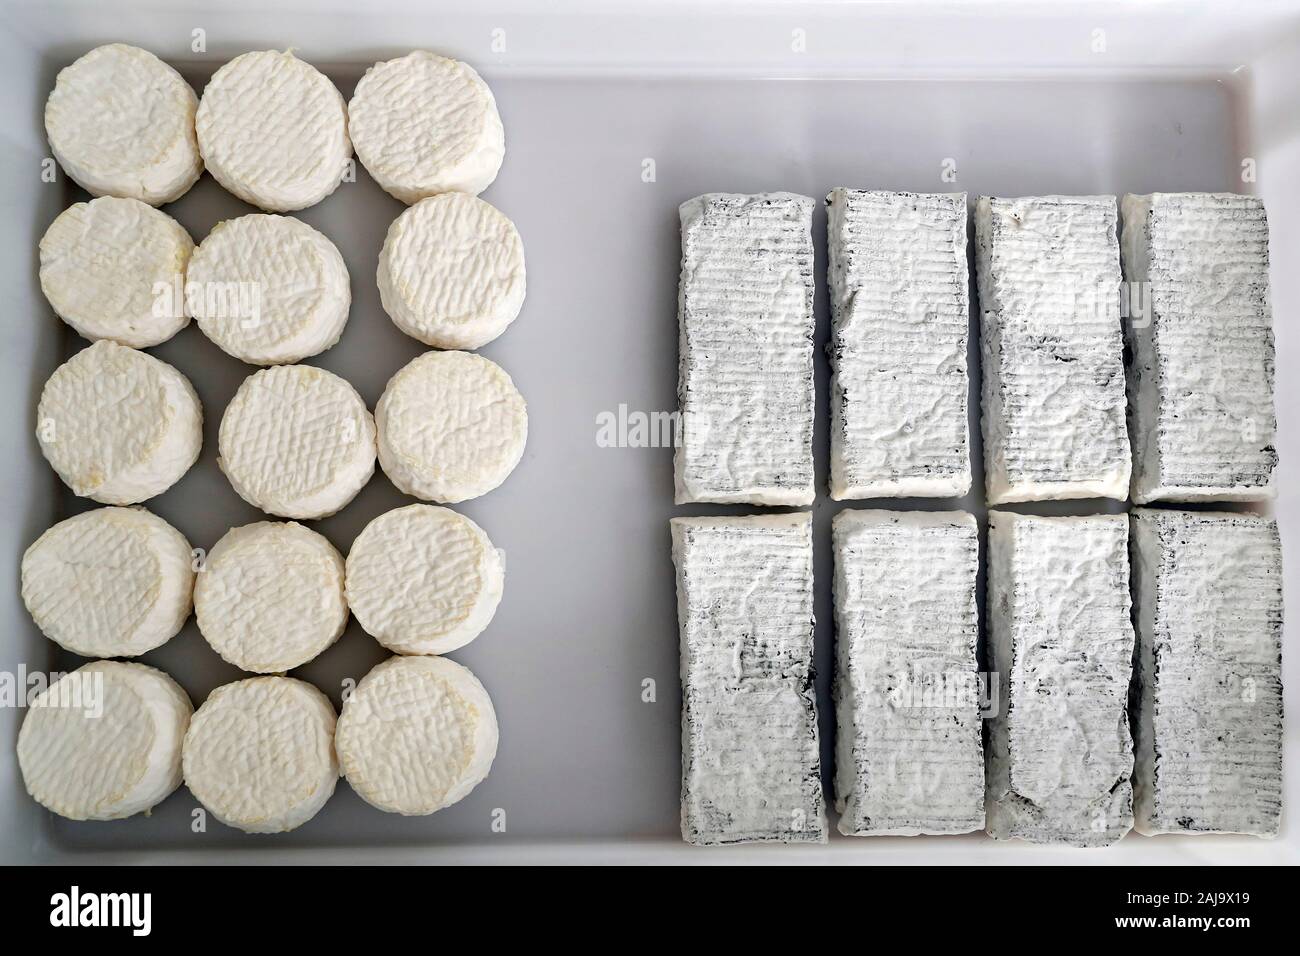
(270, 289)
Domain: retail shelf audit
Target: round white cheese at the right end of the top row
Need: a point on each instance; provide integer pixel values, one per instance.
(424, 124)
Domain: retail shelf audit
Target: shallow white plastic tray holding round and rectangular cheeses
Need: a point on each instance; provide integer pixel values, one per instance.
(720, 100)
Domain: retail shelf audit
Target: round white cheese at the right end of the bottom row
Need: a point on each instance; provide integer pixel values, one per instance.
(417, 736)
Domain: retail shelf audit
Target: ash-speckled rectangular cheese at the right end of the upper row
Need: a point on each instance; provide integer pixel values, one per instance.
(1201, 339)
